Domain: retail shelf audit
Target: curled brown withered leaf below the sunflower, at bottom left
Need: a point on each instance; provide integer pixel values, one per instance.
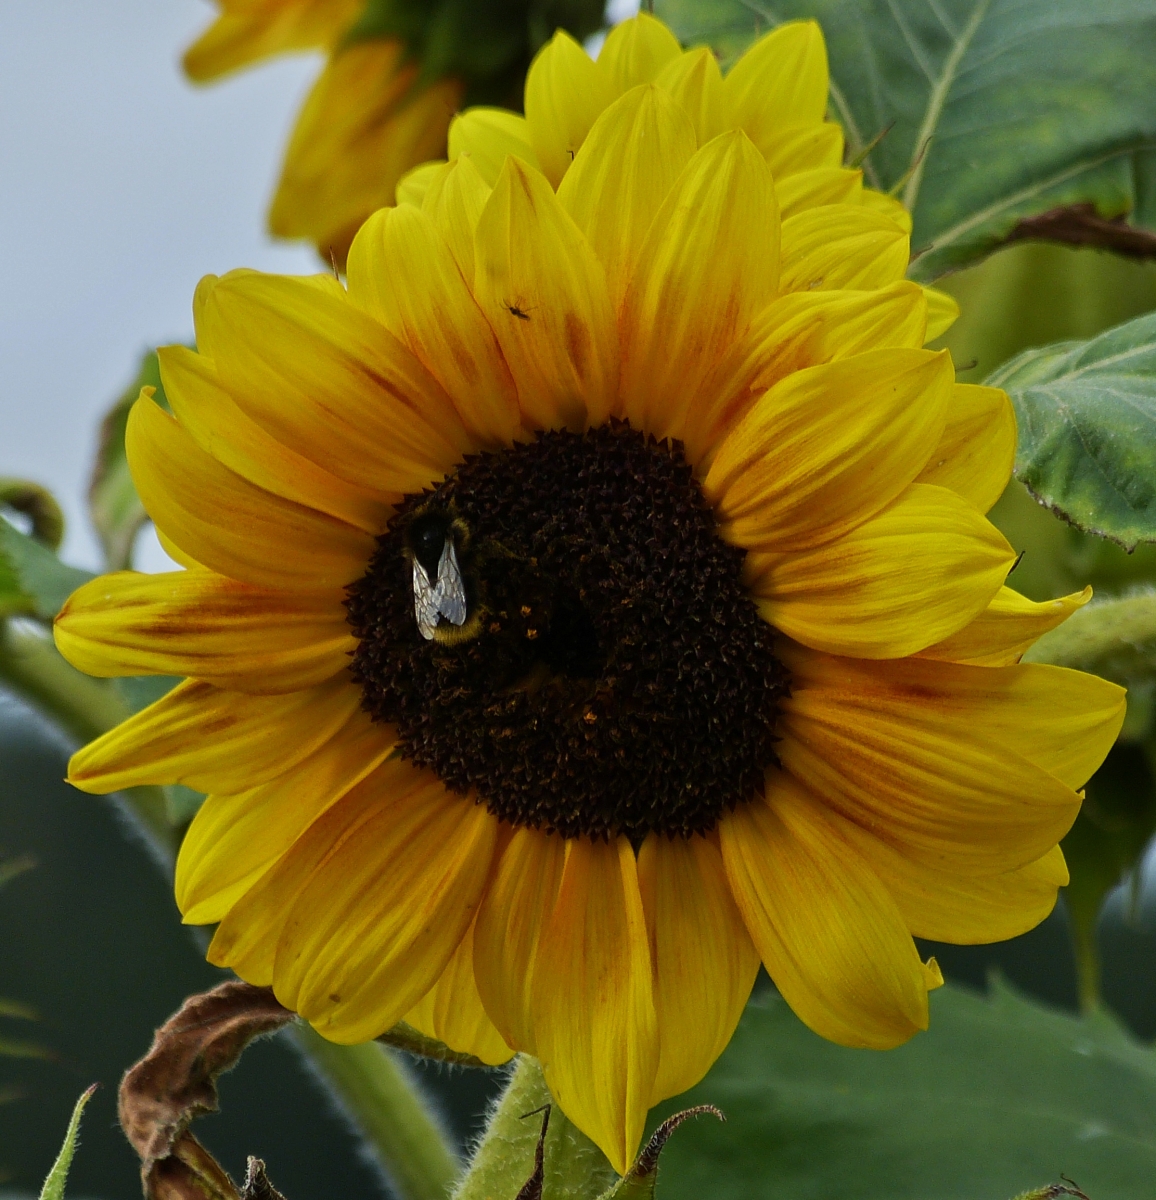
(177, 1082)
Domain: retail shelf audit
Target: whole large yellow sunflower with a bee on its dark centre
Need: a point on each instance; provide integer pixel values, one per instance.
(594, 599)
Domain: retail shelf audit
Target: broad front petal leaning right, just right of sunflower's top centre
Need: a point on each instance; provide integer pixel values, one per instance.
(706, 268)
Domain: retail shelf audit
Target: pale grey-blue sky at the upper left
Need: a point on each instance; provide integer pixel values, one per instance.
(121, 185)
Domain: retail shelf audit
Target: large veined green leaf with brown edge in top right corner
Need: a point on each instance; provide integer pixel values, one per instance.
(998, 112)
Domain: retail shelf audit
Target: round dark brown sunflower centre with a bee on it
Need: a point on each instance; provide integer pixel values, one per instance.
(608, 673)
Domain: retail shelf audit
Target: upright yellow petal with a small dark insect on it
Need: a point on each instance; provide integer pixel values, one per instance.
(544, 293)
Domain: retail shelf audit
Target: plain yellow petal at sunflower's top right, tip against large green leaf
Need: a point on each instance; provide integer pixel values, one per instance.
(781, 81)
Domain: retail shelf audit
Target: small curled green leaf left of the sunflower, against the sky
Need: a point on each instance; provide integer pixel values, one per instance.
(116, 508)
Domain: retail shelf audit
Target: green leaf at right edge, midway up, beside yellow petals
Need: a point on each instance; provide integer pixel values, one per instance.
(1087, 416)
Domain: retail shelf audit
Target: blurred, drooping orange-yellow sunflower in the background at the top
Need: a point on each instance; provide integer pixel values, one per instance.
(397, 71)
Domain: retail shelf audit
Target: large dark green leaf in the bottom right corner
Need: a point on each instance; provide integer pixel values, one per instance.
(1001, 1096)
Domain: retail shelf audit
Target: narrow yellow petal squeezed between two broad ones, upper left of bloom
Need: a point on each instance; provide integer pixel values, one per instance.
(213, 421)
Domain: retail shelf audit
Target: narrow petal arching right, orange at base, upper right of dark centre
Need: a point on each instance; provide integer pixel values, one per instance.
(799, 331)
